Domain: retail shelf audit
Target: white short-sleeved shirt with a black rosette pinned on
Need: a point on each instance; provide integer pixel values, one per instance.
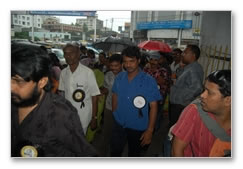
(82, 78)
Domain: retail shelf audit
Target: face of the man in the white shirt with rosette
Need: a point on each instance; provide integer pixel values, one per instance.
(72, 55)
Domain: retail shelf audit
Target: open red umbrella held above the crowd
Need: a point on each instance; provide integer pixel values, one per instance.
(155, 45)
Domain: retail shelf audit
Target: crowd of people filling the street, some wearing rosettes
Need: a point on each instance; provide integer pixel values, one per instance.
(57, 111)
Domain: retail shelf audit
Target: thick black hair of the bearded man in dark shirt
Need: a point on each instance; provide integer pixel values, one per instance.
(31, 64)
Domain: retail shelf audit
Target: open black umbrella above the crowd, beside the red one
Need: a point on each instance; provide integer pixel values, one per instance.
(112, 44)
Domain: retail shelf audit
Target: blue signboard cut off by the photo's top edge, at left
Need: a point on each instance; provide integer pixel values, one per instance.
(64, 13)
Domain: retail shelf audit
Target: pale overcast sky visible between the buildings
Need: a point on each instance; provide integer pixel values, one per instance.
(119, 18)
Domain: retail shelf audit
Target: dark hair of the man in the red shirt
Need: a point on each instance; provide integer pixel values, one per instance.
(223, 79)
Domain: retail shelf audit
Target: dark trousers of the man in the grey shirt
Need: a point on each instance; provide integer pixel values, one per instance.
(174, 113)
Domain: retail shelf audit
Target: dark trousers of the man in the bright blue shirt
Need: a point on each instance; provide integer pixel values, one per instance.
(122, 135)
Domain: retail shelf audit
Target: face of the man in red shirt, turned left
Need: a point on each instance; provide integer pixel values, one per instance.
(211, 99)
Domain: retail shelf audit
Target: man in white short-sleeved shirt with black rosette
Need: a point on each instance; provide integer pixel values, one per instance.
(79, 86)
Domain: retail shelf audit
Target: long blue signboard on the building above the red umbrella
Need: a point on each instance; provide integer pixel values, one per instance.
(173, 24)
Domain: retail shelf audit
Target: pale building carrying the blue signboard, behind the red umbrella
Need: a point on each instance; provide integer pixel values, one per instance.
(165, 25)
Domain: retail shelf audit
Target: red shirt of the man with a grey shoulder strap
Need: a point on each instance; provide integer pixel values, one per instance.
(191, 129)
